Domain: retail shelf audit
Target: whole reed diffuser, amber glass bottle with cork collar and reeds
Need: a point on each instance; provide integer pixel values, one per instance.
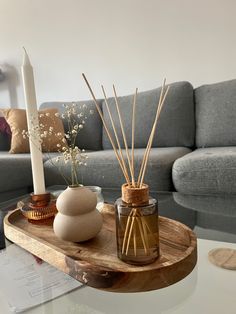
(136, 212)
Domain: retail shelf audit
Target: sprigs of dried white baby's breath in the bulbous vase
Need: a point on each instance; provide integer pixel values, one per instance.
(70, 154)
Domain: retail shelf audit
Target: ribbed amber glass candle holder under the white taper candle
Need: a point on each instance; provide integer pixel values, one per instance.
(38, 207)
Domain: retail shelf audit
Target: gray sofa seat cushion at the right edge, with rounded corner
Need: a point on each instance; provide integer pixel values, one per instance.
(206, 171)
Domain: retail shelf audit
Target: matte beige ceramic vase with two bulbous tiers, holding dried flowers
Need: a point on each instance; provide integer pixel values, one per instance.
(77, 219)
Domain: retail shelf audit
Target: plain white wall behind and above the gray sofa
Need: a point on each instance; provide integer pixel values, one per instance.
(132, 43)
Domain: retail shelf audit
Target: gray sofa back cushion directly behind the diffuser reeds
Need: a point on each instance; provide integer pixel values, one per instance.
(176, 126)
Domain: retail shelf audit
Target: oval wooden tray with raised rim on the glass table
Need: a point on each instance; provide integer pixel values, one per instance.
(95, 262)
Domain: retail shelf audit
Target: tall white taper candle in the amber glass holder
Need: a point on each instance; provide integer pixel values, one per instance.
(33, 124)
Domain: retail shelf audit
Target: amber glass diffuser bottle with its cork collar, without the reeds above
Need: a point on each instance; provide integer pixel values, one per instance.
(137, 229)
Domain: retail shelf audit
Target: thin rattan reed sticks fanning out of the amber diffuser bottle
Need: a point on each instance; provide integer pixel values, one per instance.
(135, 219)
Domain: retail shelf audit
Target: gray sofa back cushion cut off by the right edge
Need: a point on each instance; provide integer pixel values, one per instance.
(216, 114)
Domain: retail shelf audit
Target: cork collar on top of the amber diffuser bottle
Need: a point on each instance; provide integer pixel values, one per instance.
(135, 196)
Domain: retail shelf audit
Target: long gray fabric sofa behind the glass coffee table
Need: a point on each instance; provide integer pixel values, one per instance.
(194, 149)
